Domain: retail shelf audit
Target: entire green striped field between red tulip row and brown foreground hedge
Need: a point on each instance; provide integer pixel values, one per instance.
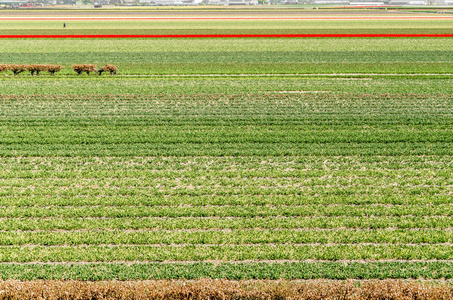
(231, 158)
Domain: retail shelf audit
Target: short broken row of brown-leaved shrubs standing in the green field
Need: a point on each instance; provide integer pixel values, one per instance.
(52, 69)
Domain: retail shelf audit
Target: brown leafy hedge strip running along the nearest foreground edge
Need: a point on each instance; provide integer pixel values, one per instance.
(226, 289)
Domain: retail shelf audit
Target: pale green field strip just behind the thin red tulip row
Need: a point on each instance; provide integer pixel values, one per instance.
(224, 25)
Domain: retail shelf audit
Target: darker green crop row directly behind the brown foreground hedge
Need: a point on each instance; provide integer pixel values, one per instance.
(236, 271)
